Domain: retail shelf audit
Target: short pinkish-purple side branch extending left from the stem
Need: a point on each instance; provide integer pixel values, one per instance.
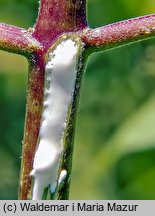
(17, 40)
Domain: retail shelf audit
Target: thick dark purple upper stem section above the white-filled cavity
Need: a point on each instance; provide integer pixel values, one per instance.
(57, 17)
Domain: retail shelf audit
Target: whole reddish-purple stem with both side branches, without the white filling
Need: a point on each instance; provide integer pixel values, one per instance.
(57, 17)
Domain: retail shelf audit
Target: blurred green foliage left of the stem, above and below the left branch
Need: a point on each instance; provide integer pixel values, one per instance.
(13, 79)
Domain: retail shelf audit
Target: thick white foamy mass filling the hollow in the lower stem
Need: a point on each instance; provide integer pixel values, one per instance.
(60, 76)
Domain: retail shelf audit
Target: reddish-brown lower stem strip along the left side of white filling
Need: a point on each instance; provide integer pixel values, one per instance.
(32, 122)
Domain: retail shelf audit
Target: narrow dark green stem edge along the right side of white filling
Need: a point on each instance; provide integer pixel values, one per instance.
(62, 192)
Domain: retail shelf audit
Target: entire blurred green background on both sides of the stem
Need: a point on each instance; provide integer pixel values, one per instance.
(114, 154)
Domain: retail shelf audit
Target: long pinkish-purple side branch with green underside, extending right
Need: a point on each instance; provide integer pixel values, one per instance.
(120, 33)
